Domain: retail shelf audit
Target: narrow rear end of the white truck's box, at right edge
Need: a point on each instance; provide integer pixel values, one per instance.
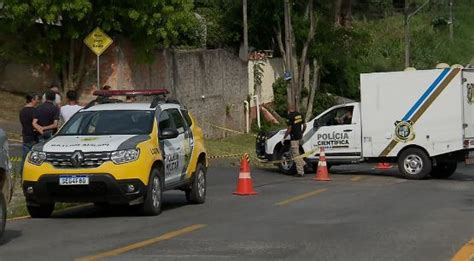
(468, 96)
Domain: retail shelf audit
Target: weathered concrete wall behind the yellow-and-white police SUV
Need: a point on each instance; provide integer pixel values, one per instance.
(212, 83)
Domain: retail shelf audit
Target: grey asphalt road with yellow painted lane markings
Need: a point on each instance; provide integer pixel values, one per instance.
(362, 214)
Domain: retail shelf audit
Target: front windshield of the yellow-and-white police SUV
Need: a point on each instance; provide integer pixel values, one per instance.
(117, 122)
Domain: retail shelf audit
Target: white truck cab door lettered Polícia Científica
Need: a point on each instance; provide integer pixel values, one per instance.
(338, 131)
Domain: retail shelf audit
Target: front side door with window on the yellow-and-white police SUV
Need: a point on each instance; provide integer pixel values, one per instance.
(170, 147)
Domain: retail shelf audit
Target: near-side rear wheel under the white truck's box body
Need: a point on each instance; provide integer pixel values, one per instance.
(414, 163)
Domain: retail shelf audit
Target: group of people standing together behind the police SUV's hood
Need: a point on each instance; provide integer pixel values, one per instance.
(41, 116)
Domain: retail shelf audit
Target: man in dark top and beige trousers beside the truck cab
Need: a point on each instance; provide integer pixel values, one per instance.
(296, 128)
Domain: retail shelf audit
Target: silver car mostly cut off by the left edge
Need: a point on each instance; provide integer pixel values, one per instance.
(6, 188)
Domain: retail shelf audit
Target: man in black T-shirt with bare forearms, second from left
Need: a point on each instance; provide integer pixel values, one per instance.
(47, 117)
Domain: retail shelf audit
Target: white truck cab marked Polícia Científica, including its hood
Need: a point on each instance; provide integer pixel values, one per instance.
(337, 129)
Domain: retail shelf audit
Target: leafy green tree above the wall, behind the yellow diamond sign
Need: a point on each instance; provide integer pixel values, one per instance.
(52, 31)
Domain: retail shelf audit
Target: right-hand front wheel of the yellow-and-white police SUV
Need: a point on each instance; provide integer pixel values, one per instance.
(154, 196)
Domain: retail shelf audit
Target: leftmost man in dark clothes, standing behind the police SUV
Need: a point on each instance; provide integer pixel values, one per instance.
(28, 134)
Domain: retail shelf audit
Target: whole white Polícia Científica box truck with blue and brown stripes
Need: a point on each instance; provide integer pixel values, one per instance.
(422, 120)
